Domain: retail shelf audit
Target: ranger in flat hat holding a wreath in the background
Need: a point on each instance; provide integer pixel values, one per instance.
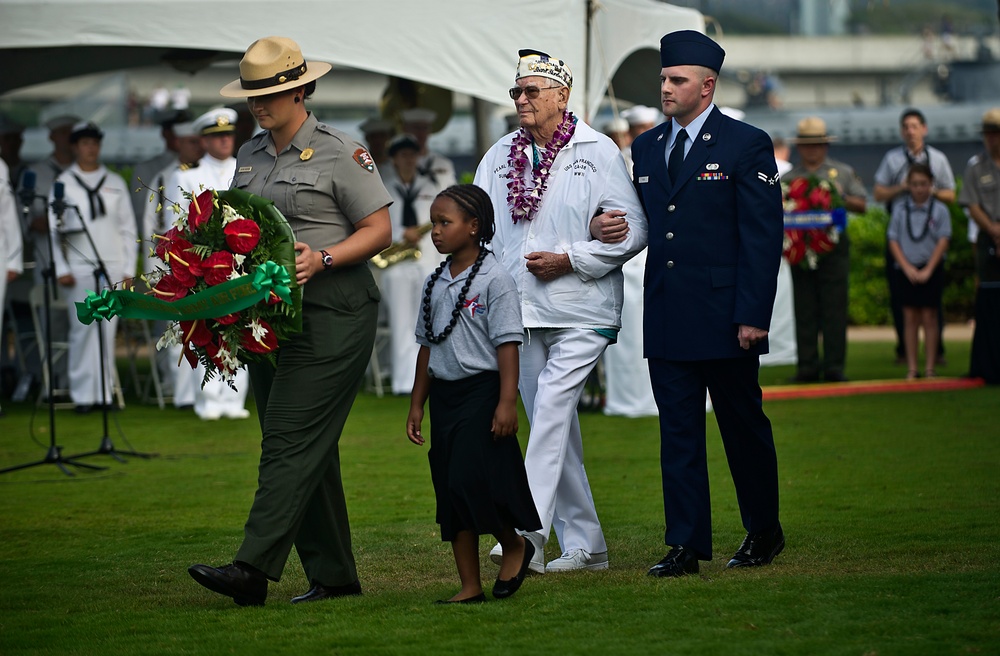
(820, 294)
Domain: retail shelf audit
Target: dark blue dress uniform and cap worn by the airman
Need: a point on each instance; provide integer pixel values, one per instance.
(715, 240)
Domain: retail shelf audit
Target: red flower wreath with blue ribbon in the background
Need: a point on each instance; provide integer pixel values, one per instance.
(814, 217)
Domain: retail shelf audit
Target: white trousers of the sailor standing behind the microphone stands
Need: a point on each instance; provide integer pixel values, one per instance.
(84, 362)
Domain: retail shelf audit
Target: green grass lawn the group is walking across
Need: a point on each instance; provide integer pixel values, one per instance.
(889, 504)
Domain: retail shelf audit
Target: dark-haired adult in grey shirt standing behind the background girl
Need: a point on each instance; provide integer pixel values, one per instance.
(890, 184)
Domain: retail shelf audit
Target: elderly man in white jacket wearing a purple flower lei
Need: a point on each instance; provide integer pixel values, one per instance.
(548, 180)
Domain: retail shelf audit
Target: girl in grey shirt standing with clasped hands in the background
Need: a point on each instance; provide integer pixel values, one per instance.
(918, 233)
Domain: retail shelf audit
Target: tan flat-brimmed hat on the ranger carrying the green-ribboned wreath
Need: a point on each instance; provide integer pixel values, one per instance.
(271, 65)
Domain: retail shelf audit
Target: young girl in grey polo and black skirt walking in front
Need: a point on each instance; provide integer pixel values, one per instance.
(469, 329)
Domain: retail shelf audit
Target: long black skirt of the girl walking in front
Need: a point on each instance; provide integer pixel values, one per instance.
(479, 482)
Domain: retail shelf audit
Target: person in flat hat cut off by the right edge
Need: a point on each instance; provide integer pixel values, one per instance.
(981, 198)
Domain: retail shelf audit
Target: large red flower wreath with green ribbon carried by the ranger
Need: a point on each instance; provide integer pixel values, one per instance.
(228, 284)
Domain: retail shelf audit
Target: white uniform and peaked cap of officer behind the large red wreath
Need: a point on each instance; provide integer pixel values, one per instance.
(216, 398)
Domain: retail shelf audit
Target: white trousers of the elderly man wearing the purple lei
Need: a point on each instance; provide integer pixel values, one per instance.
(555, 363)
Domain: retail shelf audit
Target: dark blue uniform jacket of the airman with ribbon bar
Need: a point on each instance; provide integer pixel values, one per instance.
(715, 240)
